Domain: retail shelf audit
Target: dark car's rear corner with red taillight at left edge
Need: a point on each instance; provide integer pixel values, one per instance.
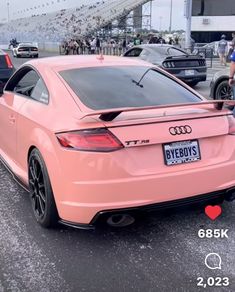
(6, 68)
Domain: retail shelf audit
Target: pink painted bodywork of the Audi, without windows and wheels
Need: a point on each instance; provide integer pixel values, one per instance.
(135, 175)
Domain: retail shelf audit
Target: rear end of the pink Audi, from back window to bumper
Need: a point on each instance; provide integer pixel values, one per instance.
(167, 145)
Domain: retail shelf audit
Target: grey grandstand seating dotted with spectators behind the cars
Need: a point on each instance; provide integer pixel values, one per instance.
(68, 23)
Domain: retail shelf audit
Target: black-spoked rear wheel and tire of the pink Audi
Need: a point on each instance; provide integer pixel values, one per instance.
(40, 190)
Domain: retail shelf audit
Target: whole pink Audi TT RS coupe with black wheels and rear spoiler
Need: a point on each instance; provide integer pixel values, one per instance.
(104, 137)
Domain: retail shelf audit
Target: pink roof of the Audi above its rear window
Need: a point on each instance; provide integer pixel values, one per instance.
(60, 63)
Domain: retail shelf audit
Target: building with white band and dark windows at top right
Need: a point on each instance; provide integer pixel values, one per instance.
(211, 19)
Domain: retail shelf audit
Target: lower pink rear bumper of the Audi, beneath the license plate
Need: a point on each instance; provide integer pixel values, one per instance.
(86, 199)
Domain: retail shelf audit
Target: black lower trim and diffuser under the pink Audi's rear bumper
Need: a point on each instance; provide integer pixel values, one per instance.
(102, 216)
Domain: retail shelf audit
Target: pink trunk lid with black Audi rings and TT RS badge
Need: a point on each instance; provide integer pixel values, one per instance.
(168, 127)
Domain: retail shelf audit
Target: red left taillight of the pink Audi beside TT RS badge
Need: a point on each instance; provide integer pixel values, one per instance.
(100, 140)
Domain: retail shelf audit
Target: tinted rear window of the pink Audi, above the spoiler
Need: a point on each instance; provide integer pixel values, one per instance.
(125, 86)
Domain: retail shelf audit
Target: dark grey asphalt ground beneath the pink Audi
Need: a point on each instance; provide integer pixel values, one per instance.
(161, 252)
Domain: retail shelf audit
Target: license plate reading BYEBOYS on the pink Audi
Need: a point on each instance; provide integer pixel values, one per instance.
(181, 152)
